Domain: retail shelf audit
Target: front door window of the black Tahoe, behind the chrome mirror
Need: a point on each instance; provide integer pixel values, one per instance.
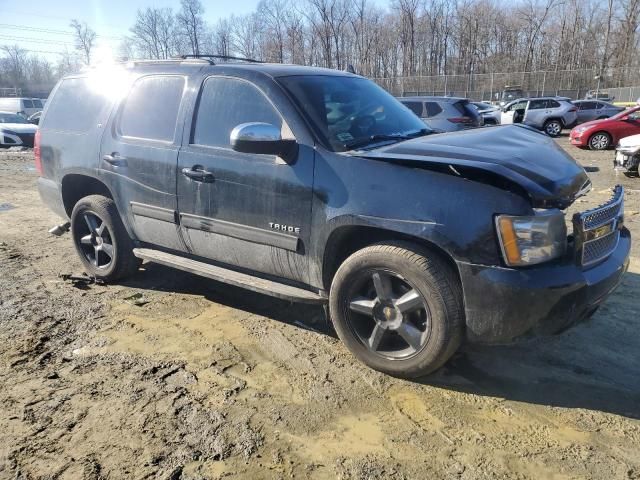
(224, 104)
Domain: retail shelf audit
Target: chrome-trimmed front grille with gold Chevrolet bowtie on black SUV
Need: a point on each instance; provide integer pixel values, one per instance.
(597, 231)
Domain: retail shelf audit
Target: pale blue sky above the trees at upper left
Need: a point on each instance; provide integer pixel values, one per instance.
(42, 26)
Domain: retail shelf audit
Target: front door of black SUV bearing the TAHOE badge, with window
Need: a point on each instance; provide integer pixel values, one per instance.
(246, 210)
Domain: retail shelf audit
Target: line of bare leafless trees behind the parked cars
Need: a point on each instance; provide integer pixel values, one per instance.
(405, 38)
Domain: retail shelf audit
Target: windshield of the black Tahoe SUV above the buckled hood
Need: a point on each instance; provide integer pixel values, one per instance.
(346, 112)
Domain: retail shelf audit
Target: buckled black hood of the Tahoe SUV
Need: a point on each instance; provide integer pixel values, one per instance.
(523, 156)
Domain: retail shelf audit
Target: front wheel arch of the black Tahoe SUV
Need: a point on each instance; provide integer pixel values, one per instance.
(346, 240)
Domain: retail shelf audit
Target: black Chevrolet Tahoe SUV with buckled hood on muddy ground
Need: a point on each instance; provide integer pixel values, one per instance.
(316, 185)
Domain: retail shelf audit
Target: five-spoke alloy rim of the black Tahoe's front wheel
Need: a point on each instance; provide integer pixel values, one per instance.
(388, 315)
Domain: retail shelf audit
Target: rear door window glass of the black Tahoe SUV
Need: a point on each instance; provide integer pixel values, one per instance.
(151, 109)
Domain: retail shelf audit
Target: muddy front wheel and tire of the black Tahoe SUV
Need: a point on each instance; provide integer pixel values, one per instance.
(370, 292)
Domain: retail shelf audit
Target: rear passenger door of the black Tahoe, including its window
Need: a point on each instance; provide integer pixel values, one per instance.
(139, 155)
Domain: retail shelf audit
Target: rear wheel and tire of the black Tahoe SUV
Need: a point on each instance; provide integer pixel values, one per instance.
(96, 225)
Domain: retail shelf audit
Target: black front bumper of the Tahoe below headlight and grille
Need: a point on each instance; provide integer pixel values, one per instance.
(503, 303)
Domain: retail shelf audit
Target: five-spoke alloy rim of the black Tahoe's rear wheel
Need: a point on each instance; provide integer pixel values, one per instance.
(95, 240)
